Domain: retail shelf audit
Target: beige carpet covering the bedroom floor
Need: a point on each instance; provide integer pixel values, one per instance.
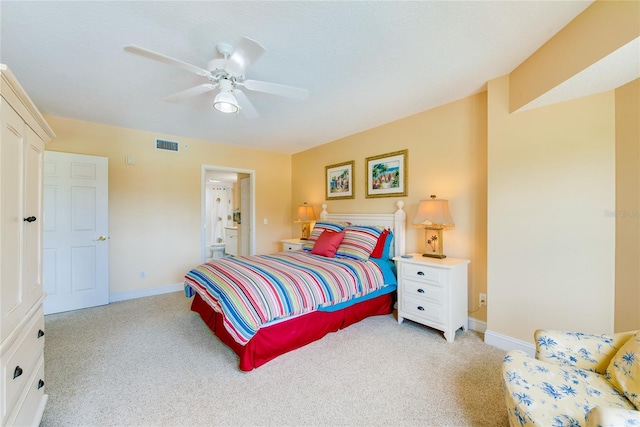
(152, 361)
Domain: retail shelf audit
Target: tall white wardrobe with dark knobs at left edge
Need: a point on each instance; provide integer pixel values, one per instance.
(23, 138)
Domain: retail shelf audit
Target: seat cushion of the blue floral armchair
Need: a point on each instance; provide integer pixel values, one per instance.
(546, 394)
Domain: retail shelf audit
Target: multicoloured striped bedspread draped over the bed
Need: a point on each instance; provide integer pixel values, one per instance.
(252, 291)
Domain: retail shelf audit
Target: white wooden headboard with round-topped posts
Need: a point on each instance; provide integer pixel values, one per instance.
(396, 222)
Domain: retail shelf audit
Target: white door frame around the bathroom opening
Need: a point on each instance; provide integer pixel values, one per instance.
(203, 206)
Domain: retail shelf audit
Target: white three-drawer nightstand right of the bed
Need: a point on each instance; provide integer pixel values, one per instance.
(433, 292)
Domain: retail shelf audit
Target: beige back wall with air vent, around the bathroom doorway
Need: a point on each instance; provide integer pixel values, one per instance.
(155, 205)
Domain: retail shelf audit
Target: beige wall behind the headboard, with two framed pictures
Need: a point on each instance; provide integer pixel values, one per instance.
(447, 157)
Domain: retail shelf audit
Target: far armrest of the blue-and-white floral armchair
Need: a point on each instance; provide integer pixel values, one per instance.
(584, 351)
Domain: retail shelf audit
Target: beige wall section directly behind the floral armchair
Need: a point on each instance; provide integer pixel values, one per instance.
(551, 248)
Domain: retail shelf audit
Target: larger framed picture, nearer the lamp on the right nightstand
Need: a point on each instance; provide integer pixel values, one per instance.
(387, 174)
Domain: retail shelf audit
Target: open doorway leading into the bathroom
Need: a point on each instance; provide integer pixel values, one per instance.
(227, 212)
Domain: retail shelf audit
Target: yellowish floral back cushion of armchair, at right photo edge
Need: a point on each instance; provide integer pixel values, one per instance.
(624, 370)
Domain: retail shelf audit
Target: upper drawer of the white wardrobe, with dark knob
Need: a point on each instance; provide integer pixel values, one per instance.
(19, 363)
